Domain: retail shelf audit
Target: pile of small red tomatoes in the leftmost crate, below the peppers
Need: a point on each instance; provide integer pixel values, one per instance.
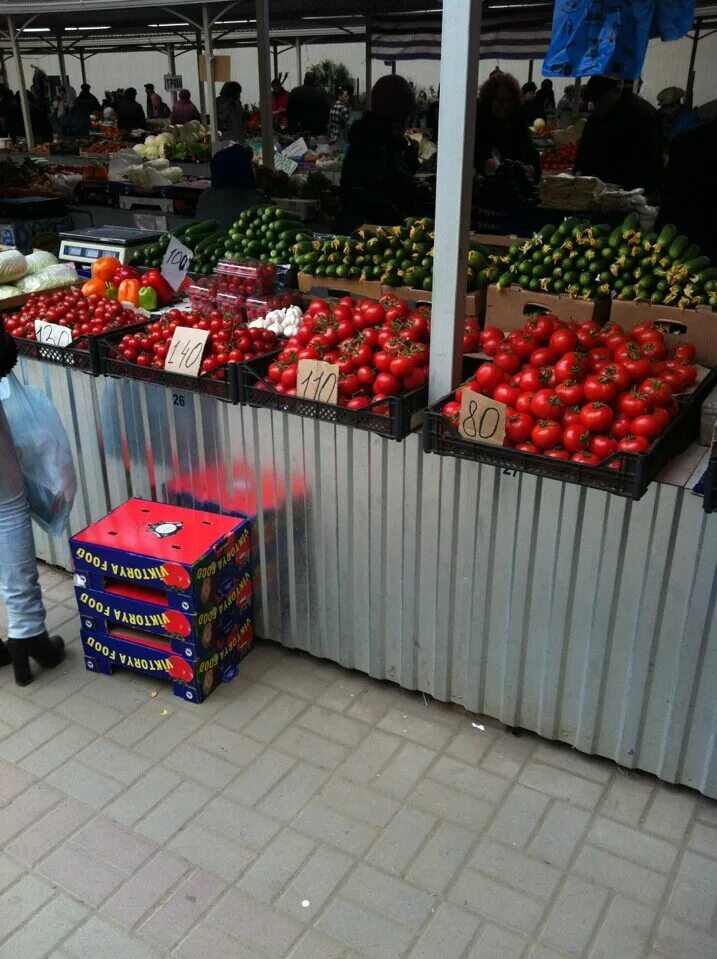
(82, 315)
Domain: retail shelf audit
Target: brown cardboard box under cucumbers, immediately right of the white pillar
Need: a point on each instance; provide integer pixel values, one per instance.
(506, 308)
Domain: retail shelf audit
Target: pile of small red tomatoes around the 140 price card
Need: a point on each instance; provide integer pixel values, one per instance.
(229, 341)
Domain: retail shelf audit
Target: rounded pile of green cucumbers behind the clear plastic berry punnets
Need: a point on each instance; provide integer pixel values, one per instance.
(265, 233)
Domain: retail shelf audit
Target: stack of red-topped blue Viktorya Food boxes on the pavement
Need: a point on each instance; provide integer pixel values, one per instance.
(167, 591)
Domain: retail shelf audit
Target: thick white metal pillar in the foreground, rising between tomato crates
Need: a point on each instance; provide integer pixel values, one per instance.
(454, 181)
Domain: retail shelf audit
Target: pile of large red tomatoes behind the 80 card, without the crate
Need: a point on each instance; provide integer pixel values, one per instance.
(581, 392)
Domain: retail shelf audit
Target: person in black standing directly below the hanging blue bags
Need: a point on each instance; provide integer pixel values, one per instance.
(621, 140)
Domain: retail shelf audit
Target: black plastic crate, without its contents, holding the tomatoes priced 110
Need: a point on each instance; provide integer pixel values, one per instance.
(402, 417)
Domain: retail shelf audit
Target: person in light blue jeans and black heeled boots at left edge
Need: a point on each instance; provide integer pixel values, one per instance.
(19, 584)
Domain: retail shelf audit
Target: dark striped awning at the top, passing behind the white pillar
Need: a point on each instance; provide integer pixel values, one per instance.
(521, 34)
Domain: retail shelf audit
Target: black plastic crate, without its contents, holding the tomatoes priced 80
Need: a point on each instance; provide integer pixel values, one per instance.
(631, 478)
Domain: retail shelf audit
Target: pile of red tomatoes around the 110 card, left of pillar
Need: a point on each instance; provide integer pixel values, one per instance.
(381, 349)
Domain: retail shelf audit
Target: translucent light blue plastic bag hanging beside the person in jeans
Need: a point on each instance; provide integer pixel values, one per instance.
(43, 451)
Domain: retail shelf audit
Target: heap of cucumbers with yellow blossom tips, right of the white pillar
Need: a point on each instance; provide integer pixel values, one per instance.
(597, 262)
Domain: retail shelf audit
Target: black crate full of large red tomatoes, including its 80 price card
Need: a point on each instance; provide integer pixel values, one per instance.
(588, 403)
